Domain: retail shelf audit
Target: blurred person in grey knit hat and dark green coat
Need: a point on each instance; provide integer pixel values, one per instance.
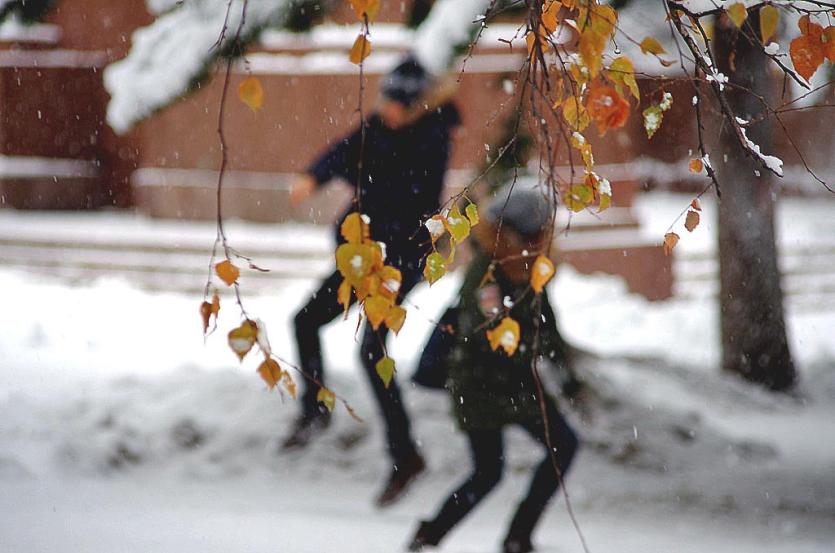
(491, 390)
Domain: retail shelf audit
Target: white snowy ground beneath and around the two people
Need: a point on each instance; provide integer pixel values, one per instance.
(120, 430)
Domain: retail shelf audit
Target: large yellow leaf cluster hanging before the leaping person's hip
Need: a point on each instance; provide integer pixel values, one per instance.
(361, 262)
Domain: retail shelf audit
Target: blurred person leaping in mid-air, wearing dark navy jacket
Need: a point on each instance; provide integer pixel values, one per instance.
(398, 184)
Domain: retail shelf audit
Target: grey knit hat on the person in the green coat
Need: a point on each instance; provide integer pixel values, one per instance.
(524, 208)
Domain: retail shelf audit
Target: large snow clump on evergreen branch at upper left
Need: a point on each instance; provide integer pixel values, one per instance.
(170, 54)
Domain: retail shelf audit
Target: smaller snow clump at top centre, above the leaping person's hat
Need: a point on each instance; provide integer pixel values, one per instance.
(449, 26)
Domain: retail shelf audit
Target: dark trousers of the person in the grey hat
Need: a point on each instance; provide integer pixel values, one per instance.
(487, 452)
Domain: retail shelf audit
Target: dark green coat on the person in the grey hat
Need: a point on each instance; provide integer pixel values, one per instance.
(488, 388)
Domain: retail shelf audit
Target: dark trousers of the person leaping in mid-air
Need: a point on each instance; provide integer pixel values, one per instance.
(322, 309)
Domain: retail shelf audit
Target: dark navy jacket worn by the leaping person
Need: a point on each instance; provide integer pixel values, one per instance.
(403, 175)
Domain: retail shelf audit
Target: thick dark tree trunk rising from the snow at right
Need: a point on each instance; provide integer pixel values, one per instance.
(754, 342)
